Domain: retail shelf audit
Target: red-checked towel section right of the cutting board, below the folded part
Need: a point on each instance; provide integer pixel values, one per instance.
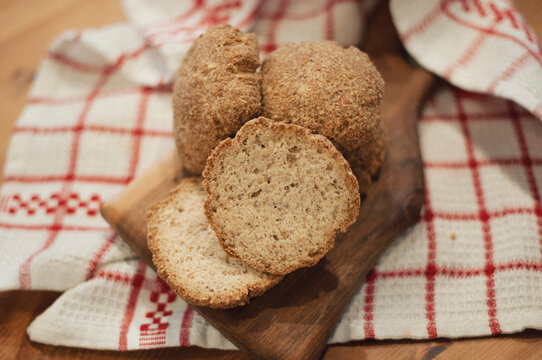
(473, 264)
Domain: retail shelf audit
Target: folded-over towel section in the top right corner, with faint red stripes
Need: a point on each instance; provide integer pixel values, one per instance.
(479, 45)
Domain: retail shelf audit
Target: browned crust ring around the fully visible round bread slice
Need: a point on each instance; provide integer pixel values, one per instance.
(318, 140)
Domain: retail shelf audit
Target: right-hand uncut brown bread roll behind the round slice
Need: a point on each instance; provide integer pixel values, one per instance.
(333, 91)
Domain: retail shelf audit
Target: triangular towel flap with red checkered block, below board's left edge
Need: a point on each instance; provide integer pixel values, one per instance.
(123, 306)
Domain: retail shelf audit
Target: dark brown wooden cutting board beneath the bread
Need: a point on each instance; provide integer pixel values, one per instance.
(294, 319)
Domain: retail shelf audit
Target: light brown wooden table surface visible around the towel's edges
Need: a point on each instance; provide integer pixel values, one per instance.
(26, 32)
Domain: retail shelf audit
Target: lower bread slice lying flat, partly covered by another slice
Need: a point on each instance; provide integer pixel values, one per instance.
(189, 258)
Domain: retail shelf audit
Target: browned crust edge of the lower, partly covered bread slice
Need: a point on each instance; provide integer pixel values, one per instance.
(160, 257)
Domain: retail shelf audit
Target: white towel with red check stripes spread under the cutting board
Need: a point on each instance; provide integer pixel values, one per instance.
(99, 113)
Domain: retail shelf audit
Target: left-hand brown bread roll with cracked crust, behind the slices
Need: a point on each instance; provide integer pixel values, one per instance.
(216, 91)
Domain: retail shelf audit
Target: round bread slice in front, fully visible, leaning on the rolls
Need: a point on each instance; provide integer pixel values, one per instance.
(277, 195)
